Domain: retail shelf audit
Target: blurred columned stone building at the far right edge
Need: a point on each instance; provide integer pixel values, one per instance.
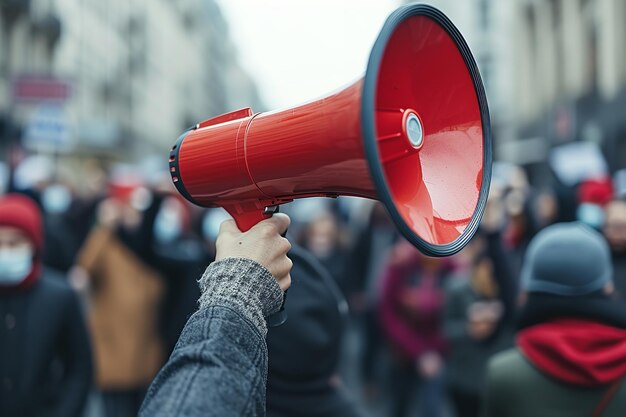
(570, 80)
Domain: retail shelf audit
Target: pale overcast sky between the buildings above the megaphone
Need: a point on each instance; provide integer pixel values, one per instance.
(297, 50)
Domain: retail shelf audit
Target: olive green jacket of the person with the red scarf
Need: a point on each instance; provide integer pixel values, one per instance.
(515, 388)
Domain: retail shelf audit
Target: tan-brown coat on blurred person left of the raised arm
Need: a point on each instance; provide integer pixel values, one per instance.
(123, 312)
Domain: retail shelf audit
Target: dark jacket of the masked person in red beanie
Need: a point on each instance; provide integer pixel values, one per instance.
(45, 357)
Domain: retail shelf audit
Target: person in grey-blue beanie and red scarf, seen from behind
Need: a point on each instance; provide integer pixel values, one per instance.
(570, 355)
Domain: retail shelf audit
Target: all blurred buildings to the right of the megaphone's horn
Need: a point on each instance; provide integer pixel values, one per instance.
(554, 72)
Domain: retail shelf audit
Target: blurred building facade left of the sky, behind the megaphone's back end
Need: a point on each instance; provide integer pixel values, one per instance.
(134, 74)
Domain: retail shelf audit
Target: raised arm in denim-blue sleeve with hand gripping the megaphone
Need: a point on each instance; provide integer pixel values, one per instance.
(219, 365)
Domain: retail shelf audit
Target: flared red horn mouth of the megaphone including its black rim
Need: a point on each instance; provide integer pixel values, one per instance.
(432, 173)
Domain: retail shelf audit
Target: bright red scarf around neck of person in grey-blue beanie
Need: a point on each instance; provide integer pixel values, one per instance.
(576, 351)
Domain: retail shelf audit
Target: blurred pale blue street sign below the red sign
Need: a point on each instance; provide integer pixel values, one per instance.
(47, 129)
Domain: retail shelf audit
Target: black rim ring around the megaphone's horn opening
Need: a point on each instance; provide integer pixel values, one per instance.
(368, 124)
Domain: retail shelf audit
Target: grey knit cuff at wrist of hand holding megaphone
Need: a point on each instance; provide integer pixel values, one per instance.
(244, 285)
